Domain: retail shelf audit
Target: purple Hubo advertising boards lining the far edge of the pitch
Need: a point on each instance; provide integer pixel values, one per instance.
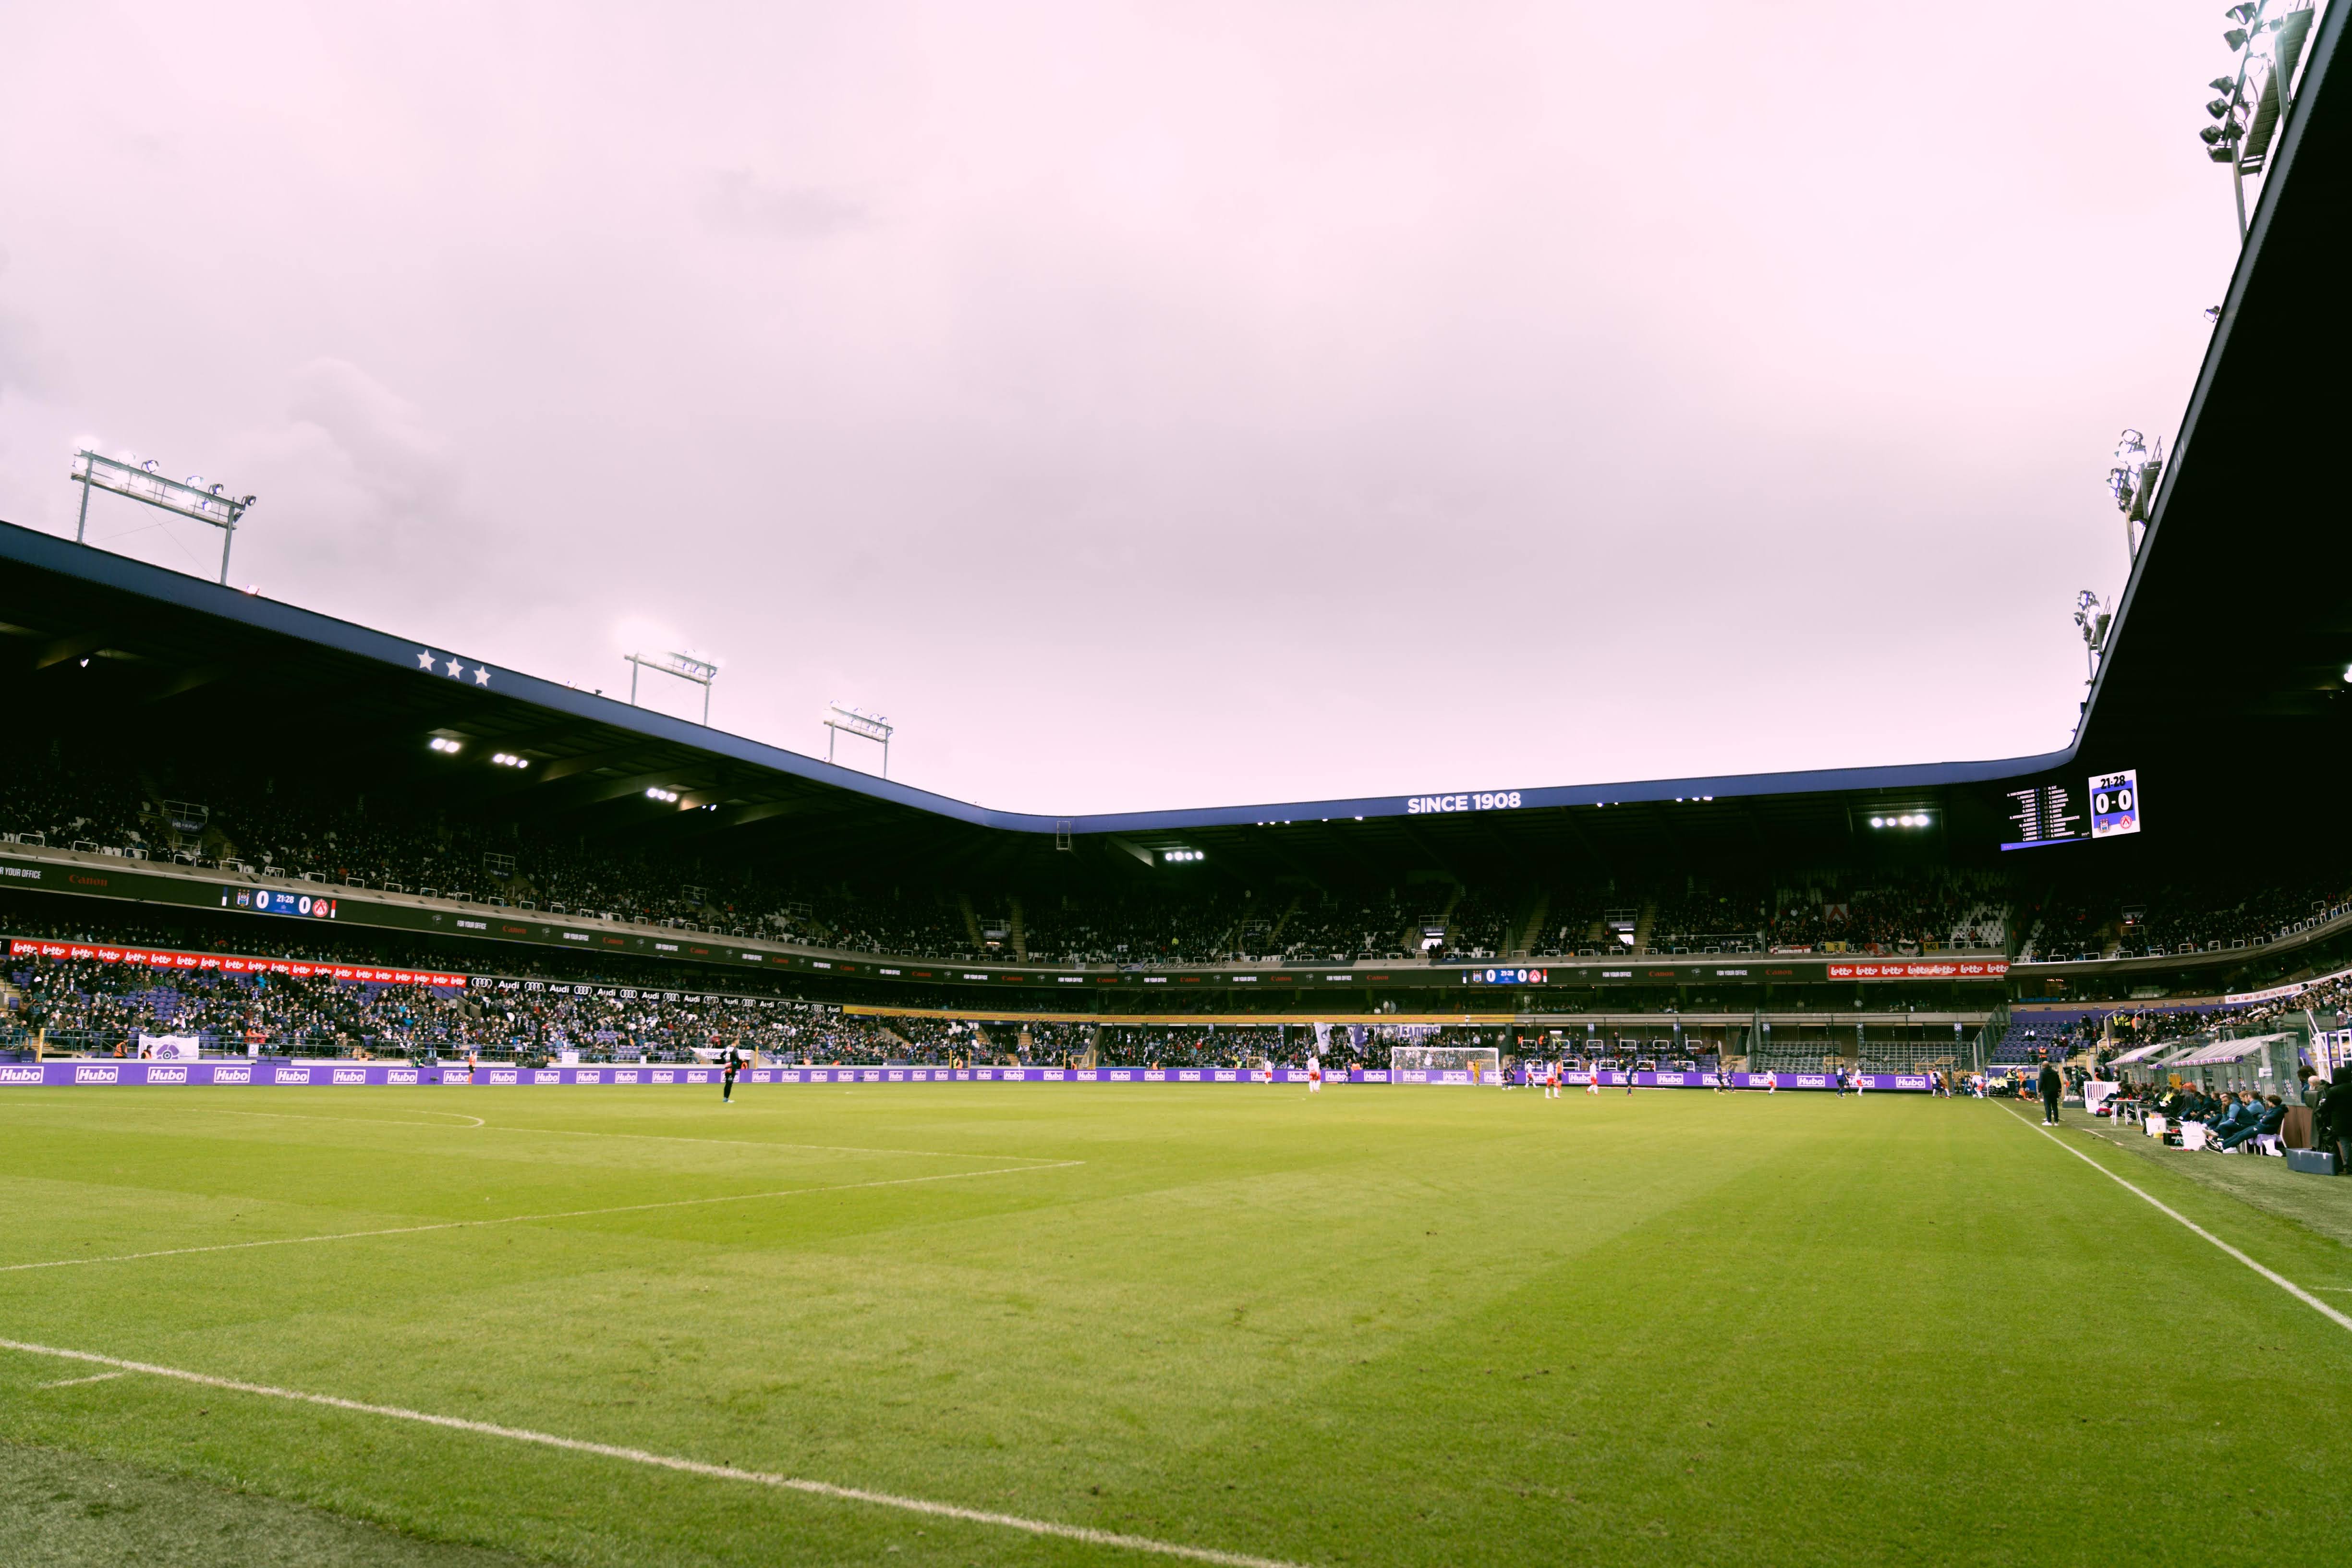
(279, 1073)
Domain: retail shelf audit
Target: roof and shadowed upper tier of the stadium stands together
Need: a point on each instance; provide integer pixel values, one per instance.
(199, 770)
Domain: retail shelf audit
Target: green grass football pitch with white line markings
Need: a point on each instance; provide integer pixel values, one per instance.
(977, 1325)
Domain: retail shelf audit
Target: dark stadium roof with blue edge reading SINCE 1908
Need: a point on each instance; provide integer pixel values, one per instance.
(2231, 626)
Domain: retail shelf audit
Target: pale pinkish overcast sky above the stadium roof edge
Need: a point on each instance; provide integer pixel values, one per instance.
(1149, 406)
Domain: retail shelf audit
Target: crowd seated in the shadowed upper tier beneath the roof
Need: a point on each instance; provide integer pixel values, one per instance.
(375, 843)
